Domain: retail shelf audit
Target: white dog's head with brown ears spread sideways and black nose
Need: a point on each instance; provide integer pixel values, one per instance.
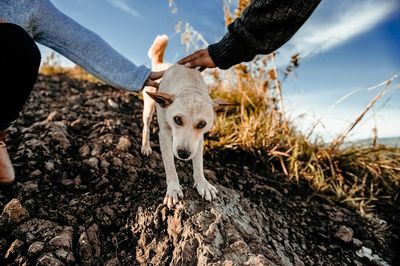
(189, 114)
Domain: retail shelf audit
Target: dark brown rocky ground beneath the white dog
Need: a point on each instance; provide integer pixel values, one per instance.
(86, 196)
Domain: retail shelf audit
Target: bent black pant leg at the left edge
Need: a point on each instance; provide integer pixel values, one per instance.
(19, 65)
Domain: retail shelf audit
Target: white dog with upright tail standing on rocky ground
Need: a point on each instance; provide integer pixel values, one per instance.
(185, 112)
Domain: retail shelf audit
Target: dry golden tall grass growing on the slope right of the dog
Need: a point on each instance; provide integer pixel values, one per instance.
(356, 175)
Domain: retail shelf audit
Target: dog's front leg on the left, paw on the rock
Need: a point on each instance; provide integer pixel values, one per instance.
(174, 191)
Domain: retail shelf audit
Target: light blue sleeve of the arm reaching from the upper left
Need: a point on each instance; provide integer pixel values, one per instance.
(87, 49)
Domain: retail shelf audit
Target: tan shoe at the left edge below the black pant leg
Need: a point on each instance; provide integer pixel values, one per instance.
(7, 174)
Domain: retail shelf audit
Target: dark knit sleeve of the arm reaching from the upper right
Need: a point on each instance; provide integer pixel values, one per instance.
(264, 26)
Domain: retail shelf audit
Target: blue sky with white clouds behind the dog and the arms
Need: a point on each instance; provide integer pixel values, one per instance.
(347, 46)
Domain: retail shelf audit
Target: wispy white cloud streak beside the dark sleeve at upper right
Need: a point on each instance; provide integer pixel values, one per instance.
(335, 22)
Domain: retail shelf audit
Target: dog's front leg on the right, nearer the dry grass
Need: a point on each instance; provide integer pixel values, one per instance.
(205, 189)
